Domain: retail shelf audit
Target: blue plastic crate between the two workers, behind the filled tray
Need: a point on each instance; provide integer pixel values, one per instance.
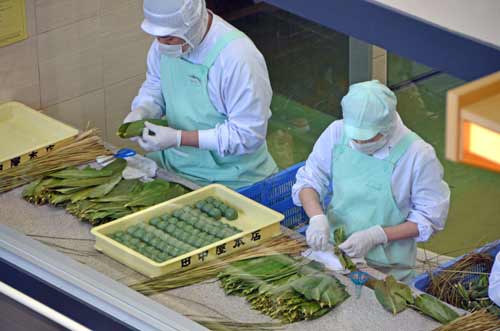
(275, 192)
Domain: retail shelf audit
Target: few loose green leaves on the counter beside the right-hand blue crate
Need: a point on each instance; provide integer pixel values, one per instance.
(396, 297)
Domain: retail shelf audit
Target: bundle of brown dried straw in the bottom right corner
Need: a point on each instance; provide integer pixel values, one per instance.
(481, 320)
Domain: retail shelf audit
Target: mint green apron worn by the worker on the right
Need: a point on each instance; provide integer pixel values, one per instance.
(362, 198)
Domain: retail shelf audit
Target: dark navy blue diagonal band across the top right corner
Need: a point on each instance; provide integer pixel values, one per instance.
(399, 33)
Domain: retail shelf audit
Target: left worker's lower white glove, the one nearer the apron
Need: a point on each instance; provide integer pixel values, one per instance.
(157, 138)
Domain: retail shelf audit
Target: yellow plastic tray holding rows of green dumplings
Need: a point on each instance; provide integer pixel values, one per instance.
(257, 223)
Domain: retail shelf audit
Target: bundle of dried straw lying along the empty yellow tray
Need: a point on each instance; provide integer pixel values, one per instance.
(83, 149)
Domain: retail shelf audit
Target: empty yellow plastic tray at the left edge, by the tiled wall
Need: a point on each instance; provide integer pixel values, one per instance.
(26, 133)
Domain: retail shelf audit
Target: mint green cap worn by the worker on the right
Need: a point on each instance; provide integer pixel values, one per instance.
(369, 108)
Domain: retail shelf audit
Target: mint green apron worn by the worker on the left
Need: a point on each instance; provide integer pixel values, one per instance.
(188, 107)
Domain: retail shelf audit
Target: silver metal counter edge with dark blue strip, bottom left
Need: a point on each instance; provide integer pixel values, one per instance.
(93, 291)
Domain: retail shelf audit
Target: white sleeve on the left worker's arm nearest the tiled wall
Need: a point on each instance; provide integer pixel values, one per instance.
(150, 94)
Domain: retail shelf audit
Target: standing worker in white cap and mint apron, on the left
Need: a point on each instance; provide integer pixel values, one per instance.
(211, 83)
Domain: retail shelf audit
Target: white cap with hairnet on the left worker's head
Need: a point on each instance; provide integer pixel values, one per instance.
(186, 19)
